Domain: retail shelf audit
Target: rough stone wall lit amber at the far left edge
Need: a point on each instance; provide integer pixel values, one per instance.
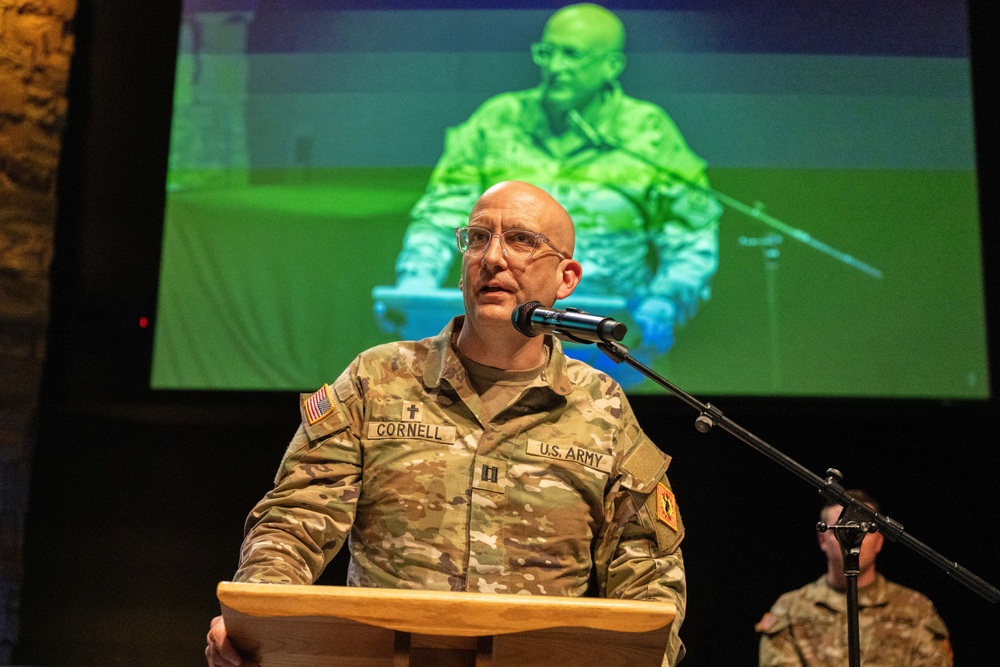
(36, 45)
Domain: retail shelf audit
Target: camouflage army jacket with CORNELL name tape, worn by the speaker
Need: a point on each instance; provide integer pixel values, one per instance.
(559, 490)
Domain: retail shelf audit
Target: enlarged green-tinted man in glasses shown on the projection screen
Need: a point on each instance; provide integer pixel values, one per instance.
(646, 232)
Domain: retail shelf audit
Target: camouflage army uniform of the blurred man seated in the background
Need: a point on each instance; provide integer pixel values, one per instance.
(898, 627)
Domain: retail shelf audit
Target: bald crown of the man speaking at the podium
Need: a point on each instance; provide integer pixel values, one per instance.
(518, 200)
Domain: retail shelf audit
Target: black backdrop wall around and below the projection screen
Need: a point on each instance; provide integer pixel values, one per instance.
(138, 498)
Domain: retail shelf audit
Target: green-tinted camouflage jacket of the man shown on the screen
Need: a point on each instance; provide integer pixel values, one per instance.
(640, 230)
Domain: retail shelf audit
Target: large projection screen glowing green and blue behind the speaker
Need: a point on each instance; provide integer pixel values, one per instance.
(792, 214)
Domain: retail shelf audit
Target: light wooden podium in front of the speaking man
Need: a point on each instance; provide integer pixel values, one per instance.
(309, 626)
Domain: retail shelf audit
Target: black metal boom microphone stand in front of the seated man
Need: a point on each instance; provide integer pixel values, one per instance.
(855, 521)
